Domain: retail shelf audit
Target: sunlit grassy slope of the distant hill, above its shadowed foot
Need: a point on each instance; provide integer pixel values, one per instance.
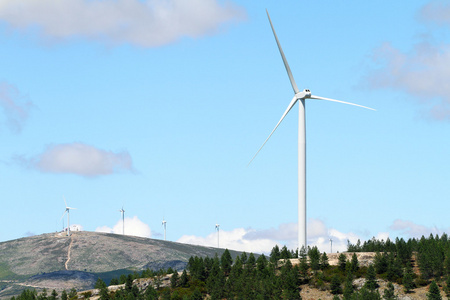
(92, 252)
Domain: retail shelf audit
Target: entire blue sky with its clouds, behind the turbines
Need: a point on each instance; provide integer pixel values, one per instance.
(158, 106)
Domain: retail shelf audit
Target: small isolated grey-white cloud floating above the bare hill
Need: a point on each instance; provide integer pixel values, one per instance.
(80, 159)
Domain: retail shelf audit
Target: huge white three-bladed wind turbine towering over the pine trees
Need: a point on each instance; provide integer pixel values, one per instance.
(300, 97)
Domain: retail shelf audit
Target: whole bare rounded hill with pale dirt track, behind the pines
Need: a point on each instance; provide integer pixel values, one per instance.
(35, 261)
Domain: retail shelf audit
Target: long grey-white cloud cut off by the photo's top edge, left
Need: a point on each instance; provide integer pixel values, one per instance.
(146, 23)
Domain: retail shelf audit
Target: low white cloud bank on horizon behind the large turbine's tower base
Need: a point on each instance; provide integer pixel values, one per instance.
(262, 241)
